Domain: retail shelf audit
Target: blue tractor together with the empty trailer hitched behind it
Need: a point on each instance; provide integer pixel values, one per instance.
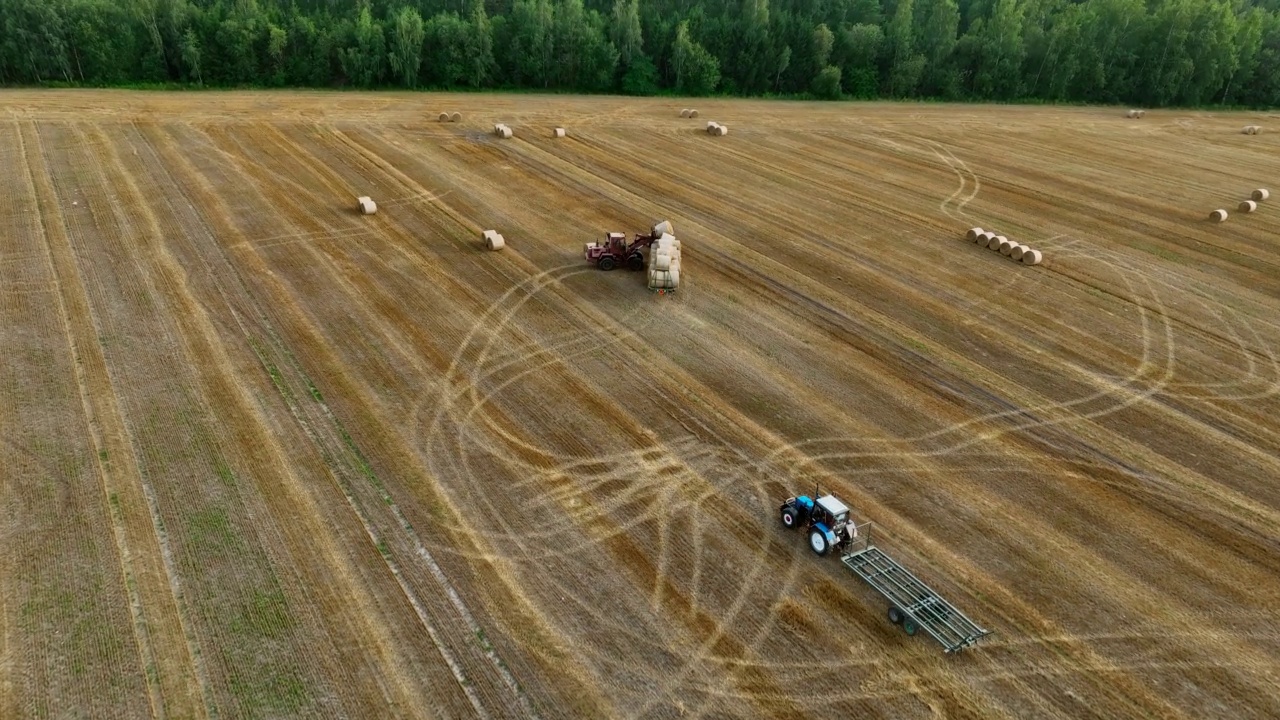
(912, 604)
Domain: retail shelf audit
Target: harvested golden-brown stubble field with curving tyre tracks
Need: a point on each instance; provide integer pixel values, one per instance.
(267, 457)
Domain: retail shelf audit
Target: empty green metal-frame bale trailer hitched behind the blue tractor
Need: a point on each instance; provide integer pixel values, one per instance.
(912, 604)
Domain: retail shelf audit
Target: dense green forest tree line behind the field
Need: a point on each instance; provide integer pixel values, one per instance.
(1139, 52)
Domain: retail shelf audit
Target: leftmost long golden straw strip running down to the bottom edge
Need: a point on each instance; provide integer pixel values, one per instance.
(181, 682)
